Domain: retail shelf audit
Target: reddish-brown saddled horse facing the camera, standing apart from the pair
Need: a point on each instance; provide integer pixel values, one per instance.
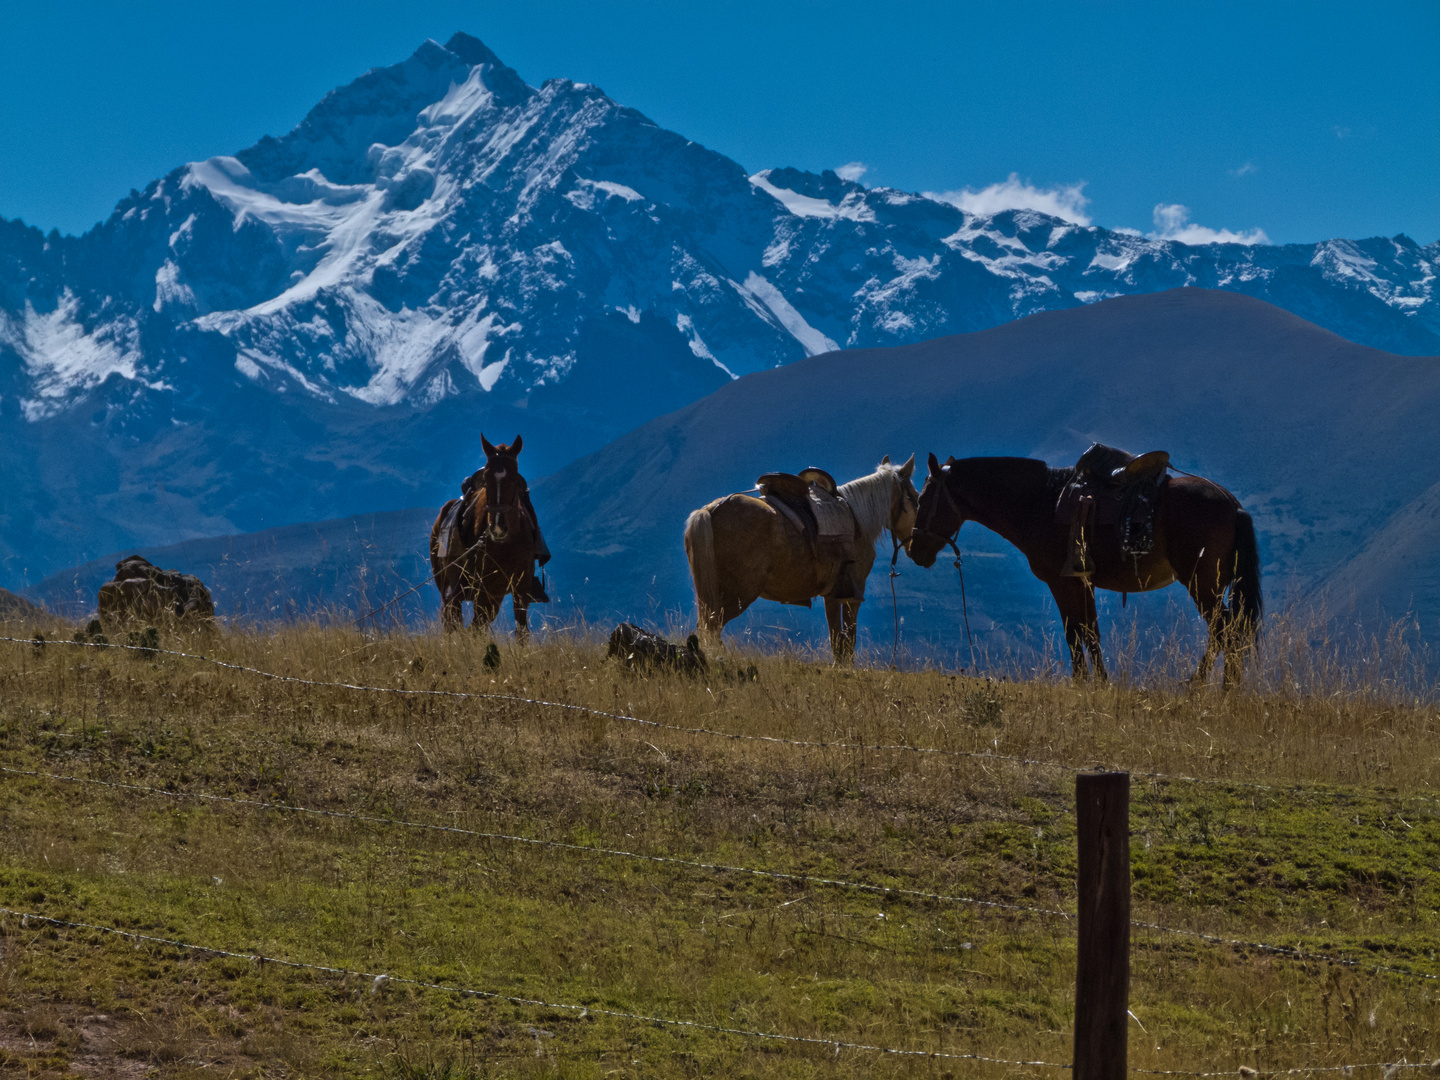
(486, 544)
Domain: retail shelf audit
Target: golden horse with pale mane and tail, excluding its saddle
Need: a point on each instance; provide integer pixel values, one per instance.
(741, 549)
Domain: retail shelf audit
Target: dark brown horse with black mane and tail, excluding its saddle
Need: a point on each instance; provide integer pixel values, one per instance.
(1203, 539)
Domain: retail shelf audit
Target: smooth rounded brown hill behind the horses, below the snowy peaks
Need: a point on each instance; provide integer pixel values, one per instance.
(1327, 443)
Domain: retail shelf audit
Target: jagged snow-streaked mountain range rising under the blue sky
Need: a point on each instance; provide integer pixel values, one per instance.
(323, 323)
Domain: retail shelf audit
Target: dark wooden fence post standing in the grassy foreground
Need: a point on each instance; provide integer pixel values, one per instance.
(1104, 963)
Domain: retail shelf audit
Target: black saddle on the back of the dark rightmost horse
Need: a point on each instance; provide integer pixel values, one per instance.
(1111, 489)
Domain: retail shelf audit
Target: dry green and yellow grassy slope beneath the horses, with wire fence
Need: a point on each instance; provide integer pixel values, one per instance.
(1311, 823)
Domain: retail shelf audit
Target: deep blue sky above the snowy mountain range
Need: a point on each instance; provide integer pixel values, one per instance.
(1304, 122)
